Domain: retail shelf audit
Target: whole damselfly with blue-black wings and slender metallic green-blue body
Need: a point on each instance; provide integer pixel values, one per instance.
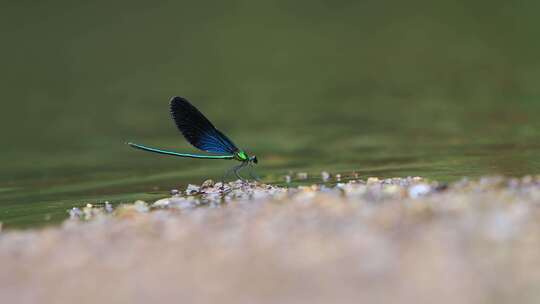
(200, 132)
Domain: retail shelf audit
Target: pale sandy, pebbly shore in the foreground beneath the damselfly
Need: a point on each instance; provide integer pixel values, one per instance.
(375, 241)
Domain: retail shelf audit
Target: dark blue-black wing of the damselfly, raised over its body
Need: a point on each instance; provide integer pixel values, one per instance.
(198, 130)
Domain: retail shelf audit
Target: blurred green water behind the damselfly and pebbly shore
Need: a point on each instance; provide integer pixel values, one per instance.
(382, 88)
